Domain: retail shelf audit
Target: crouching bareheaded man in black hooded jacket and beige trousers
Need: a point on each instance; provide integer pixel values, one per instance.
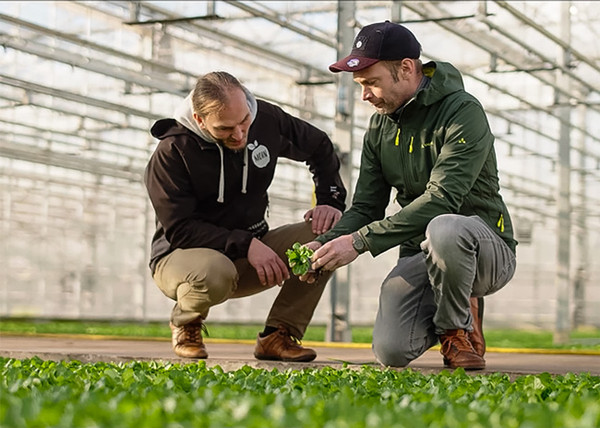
(207, 181)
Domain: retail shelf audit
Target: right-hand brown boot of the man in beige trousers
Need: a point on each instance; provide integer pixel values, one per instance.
(282, 346)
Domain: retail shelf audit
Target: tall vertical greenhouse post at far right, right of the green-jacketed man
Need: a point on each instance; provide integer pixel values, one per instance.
(562, 323)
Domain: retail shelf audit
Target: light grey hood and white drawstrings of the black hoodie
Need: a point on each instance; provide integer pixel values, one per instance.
(184, 114)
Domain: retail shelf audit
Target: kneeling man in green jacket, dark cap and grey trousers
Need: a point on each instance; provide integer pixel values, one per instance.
(431, 142)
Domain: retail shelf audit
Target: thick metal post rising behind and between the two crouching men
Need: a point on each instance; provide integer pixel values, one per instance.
(338, 329)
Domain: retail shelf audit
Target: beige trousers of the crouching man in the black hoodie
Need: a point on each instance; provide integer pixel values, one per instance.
(199, 278)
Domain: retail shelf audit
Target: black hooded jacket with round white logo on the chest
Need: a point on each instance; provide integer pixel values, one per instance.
(205, 195)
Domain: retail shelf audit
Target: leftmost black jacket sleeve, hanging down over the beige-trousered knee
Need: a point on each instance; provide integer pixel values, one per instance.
(176, 208)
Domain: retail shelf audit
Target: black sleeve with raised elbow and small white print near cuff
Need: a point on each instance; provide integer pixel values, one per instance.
(302, 141)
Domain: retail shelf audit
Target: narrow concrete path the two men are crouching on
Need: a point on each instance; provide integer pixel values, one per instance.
(231, 355)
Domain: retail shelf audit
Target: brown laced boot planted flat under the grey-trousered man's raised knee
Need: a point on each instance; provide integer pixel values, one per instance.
(458, 351)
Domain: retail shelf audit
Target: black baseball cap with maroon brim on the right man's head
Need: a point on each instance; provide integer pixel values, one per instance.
(383, 41)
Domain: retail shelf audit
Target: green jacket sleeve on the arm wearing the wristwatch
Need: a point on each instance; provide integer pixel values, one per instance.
(466, 146)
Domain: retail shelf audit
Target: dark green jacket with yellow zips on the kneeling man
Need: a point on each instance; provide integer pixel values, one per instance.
(437, 152)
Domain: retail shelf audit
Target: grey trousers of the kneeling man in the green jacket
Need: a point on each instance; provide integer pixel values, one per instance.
(428, 293)
